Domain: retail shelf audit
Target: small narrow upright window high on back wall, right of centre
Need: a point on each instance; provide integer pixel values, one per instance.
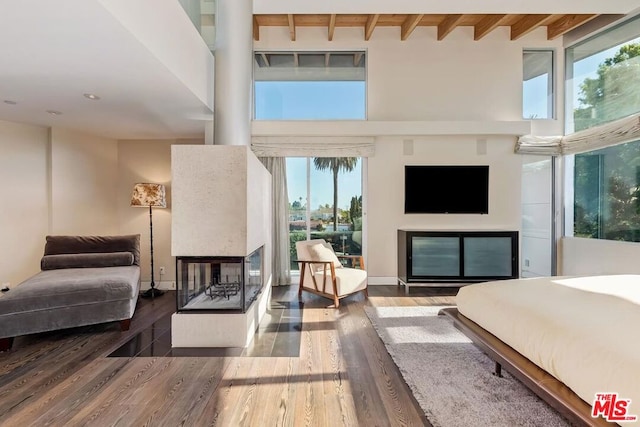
(537, 84)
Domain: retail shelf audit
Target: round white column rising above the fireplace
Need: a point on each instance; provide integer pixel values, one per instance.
(233, 66)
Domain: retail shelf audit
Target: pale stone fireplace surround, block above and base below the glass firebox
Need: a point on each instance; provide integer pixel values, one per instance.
(221, 208)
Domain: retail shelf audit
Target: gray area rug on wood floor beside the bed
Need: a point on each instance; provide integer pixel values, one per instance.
(450, 377)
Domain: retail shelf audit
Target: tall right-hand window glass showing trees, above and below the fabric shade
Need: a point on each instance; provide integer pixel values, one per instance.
(602, 200)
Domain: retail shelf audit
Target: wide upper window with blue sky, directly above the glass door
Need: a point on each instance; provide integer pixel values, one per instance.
(310, 85)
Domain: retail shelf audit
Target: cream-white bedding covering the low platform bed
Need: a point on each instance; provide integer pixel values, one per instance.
(585, 331)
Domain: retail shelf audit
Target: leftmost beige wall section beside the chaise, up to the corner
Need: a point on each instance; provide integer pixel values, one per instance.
(23, 194)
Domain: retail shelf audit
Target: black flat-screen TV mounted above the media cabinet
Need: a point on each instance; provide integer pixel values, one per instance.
(446, 189)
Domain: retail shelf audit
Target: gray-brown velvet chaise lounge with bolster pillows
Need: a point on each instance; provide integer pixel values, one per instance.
(84, 280)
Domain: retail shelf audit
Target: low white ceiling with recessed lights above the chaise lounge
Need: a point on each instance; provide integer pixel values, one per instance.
(53, 52)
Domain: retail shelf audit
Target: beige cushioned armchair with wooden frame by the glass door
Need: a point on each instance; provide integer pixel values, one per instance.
(322, 272)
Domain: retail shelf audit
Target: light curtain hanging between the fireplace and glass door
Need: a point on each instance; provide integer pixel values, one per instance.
(281, 266)
